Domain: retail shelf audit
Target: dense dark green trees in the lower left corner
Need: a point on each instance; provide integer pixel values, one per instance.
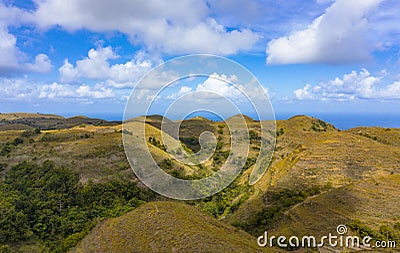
(47, 203)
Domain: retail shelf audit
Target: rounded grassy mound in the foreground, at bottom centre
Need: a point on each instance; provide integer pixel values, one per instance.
(166, 227)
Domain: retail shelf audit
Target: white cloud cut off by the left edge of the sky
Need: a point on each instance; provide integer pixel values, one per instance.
(11, 60)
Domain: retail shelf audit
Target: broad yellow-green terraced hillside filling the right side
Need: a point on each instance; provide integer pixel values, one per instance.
(322, 177)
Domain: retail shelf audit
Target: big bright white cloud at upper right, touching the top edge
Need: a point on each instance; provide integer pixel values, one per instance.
(337, 36)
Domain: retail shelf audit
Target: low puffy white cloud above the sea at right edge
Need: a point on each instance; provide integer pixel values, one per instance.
(361, 85)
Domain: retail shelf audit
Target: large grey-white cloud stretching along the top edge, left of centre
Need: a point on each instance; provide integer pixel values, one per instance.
(176, 27)
